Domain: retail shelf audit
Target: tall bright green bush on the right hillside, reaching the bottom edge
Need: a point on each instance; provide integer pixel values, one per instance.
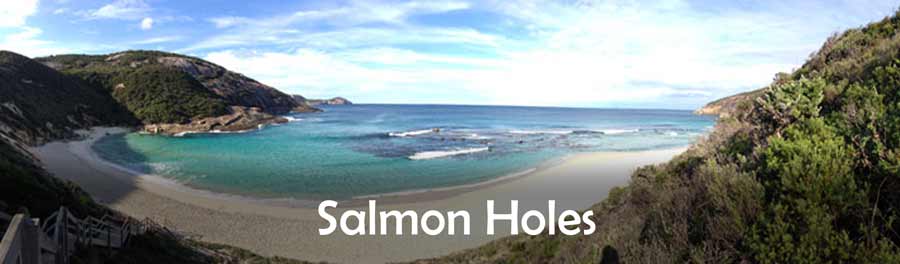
(811, 189)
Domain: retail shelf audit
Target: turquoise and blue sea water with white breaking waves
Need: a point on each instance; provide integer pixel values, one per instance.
(357, 150)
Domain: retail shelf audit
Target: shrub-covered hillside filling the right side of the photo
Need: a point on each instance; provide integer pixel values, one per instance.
(805, 172)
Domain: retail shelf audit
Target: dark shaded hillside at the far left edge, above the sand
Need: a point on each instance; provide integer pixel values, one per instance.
(38, 103)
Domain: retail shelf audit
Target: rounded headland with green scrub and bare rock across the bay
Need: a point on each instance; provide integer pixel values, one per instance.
(171, 93)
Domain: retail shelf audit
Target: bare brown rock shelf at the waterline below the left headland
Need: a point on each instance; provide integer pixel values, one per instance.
(240, 119)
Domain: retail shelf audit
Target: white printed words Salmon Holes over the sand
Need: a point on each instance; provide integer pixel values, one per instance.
(433, 222)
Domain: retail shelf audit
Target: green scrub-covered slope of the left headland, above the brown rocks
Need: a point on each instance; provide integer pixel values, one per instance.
(153, 93)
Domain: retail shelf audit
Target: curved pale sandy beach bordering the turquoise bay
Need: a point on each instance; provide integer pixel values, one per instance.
(269, 228)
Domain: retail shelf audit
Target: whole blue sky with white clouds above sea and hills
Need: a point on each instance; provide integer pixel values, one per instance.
(674, 54)
